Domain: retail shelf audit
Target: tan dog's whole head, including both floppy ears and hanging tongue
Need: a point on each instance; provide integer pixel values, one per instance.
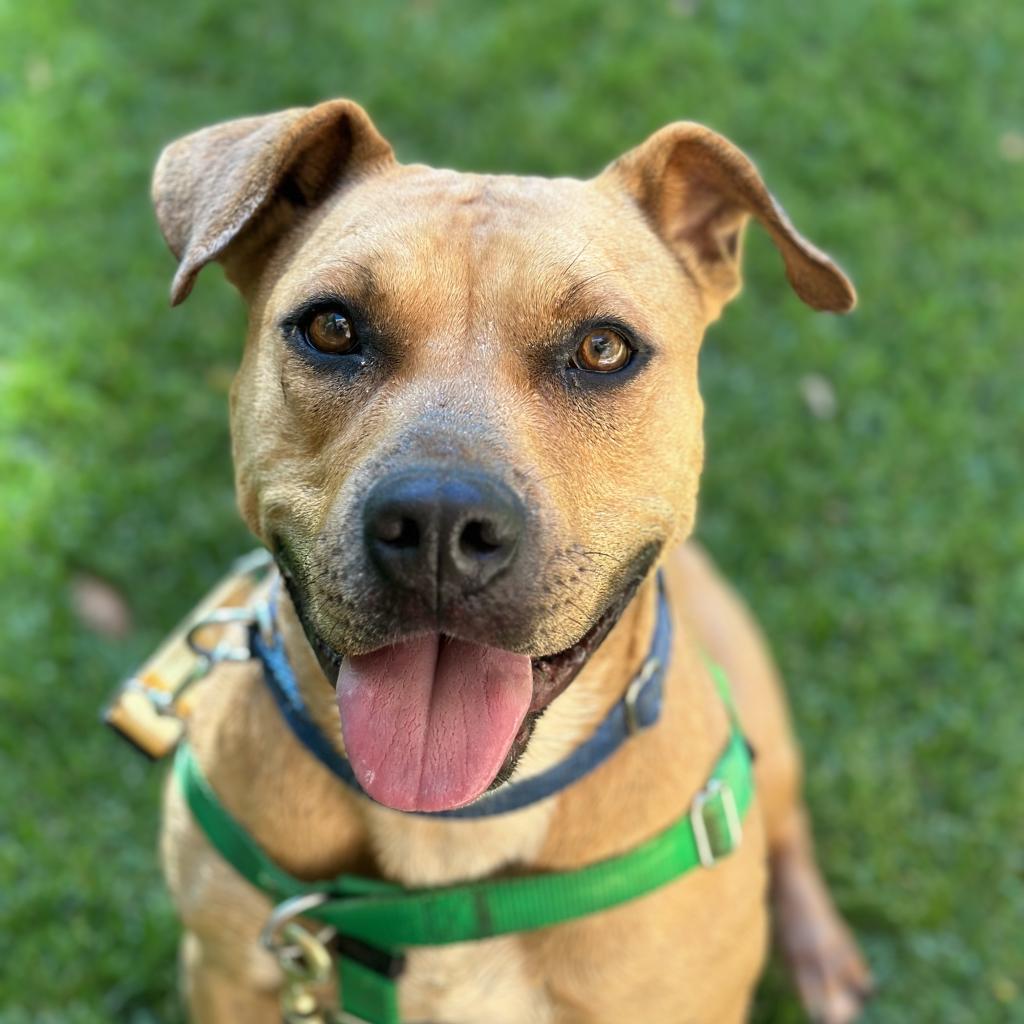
(467, 421)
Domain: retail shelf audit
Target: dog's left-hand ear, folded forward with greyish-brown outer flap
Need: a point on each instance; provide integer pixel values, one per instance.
(215, 185)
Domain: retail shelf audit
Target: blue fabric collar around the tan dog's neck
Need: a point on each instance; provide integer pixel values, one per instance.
(639, 709)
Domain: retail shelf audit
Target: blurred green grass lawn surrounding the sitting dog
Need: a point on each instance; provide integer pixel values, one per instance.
(865, 474)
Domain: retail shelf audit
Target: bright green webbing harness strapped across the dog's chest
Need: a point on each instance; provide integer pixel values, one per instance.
(373, 922)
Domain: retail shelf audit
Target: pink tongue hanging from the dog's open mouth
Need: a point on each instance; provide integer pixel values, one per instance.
(429, 722)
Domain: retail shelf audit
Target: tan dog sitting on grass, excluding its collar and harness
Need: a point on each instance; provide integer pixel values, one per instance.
(467, 422)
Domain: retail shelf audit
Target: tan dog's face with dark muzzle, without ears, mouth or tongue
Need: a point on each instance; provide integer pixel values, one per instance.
(494, 336)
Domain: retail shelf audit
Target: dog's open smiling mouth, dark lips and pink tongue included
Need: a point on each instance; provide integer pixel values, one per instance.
(432, 722)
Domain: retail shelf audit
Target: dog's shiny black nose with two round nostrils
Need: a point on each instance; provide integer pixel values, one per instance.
(442, 534)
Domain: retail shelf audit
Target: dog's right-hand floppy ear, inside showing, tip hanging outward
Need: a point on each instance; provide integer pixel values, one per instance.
(698, 192)
